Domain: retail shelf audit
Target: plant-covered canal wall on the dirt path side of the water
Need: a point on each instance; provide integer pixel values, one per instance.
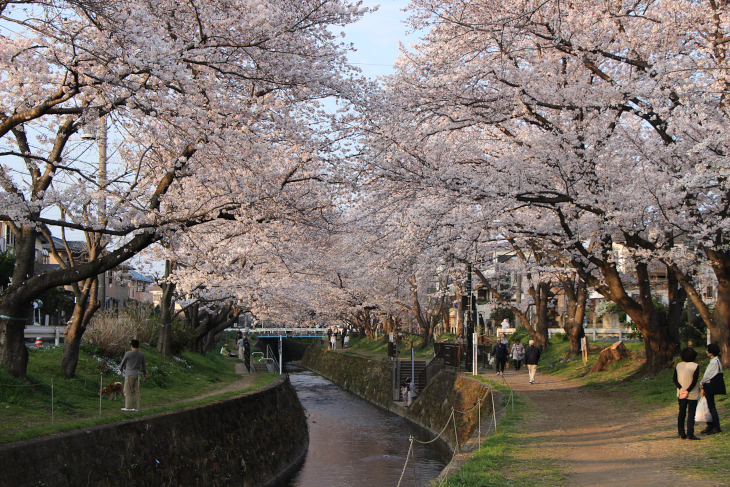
(371, 380)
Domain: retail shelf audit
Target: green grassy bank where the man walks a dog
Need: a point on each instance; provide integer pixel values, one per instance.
(49, 403)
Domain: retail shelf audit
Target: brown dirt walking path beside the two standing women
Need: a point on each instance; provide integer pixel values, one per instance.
(602, 439)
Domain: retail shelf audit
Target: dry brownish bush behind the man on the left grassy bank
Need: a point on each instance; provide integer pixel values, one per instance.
(111, 332)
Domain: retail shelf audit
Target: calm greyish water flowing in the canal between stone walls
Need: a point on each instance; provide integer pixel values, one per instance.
(353, 443)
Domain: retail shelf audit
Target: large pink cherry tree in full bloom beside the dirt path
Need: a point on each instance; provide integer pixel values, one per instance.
(589, 126)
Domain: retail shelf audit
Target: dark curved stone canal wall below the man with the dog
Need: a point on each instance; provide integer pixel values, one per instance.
(248, 440)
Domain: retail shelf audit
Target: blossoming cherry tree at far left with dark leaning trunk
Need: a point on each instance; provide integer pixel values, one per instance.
(216, 109)
